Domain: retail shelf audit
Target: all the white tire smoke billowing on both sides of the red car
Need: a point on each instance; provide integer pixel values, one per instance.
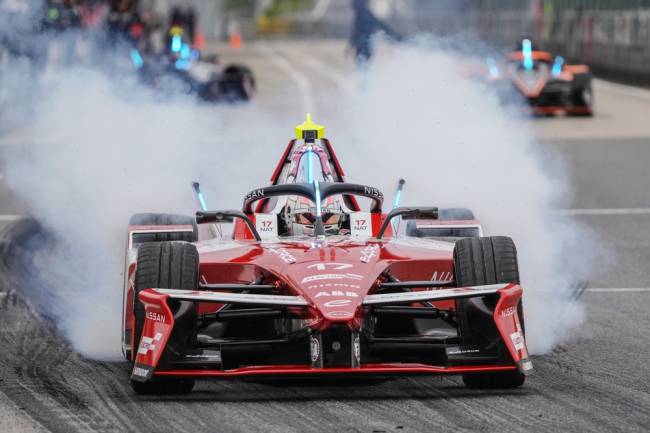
(100, 154)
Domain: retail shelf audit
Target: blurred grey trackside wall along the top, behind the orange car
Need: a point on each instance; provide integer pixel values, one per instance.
(613, 36)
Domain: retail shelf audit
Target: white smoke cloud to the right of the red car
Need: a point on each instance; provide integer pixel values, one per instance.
(422, 118)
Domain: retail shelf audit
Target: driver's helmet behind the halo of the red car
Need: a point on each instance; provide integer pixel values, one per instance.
(300, 215)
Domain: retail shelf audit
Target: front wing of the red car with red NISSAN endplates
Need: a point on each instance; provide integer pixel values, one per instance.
(160, 355)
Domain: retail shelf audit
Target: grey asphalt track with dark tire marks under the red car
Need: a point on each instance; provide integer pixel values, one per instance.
(598, 381)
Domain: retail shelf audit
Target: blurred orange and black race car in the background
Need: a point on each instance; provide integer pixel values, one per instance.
(547, 83)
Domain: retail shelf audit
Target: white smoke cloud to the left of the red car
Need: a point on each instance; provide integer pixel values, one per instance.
(98, 155)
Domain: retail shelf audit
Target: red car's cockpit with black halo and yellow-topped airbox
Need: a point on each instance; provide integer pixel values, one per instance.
(308, 196)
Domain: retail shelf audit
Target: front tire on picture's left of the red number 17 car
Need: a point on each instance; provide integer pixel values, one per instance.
(166, 265)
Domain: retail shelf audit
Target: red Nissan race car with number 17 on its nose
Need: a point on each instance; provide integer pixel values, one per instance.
(312, 284)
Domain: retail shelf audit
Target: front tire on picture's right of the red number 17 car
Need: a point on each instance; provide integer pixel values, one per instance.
(482, 261)
